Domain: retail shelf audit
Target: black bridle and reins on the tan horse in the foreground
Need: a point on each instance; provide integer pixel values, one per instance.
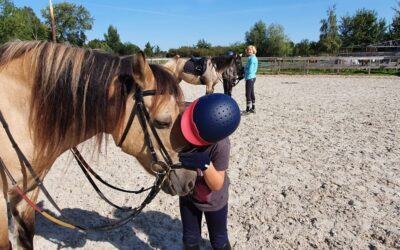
(166, 165)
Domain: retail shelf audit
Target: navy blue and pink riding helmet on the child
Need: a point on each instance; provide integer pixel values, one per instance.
(210, 119)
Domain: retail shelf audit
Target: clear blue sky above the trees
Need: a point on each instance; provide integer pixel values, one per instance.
(175, 23)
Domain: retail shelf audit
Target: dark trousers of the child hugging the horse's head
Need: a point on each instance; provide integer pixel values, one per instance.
(191, 221)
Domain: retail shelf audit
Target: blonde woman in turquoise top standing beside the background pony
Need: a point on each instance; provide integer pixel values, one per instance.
(250, 71)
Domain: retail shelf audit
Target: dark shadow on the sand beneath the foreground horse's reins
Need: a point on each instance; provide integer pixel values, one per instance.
(159, 230)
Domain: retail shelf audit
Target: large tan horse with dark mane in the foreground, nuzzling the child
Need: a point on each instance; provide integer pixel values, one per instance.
(54, 97)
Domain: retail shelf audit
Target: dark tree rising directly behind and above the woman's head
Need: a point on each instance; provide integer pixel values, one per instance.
(257, 36)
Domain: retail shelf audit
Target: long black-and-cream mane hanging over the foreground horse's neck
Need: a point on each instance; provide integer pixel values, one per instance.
(70, 92)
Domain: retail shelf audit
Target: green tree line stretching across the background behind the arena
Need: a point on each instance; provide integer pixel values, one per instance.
(72, 21)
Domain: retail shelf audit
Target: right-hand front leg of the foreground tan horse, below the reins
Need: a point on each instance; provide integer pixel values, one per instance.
(24, 219)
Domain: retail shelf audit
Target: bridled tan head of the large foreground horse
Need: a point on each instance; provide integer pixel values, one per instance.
(163, 108)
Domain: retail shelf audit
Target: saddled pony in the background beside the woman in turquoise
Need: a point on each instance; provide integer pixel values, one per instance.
(205, 71)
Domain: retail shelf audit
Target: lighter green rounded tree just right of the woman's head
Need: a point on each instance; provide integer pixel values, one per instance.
(277, 43)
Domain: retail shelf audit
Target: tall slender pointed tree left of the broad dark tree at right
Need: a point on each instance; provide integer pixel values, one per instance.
(329, 37)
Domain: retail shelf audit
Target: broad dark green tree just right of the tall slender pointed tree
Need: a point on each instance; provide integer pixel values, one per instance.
(362, 29)
